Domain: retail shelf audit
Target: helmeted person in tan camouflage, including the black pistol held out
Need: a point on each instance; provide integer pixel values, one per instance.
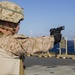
(14, 46)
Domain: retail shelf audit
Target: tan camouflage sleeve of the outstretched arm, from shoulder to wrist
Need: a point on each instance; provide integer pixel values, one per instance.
(21, 45)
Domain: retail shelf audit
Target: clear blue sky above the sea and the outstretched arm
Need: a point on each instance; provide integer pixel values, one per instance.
(42, 15)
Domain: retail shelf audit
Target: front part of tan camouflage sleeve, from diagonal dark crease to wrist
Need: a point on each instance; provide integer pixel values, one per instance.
(38, 44)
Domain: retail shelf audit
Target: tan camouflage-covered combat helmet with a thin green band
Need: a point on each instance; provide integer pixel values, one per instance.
(10, 12)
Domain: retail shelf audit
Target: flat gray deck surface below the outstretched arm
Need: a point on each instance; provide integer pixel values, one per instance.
(49, 66)
